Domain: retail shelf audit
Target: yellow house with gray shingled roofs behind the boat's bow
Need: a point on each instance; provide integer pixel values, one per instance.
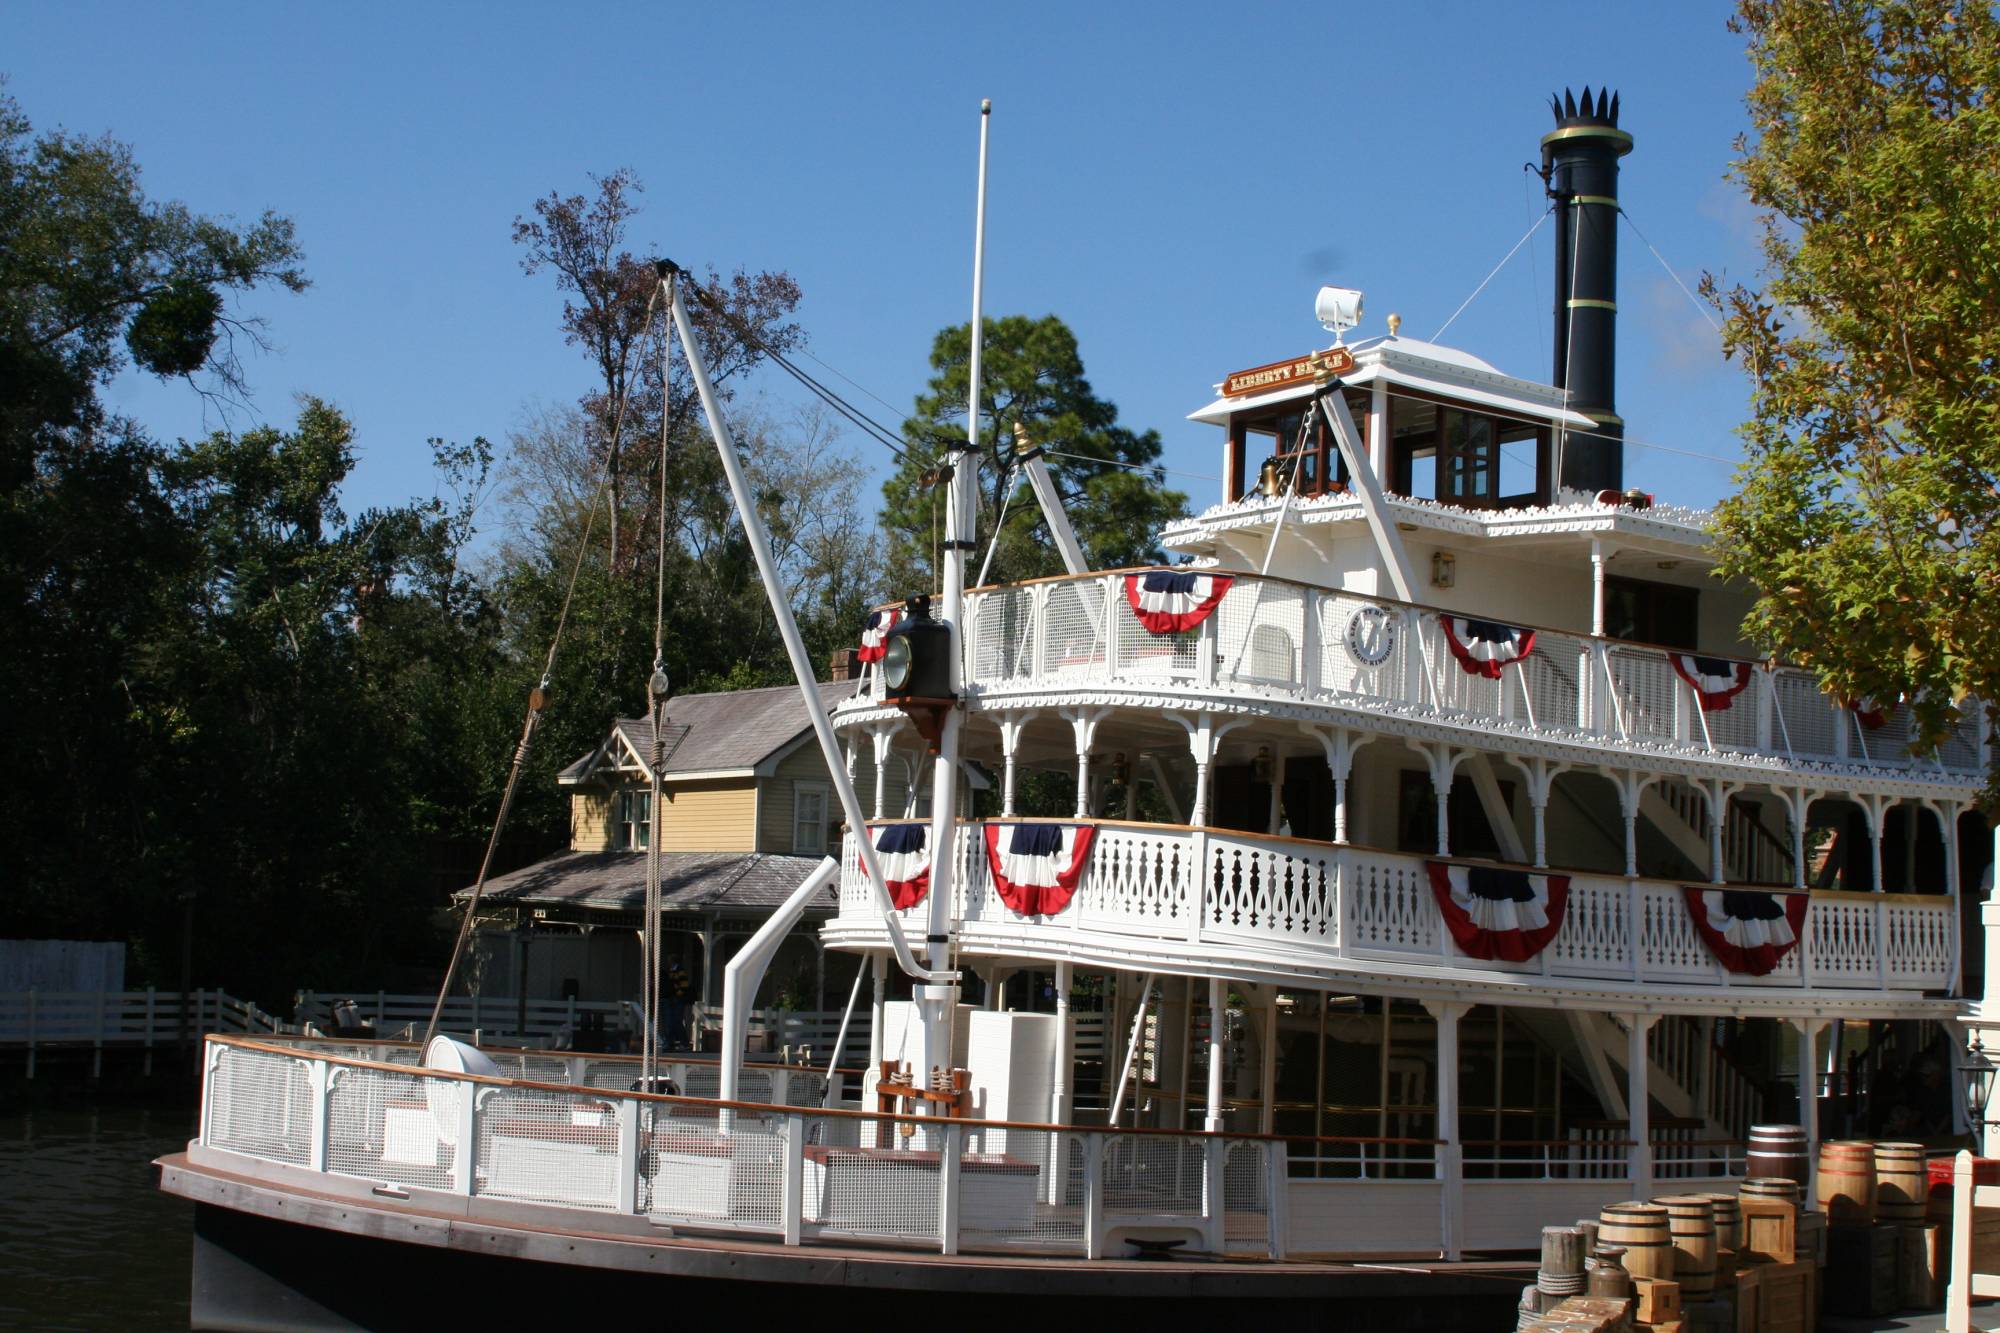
(749, 812)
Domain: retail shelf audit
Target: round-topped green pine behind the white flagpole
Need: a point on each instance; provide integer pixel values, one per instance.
(1033, 377)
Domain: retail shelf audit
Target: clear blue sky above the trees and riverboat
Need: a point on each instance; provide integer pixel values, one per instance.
(1171, 179)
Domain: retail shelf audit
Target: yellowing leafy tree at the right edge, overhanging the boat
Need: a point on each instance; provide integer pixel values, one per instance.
(1867, 507)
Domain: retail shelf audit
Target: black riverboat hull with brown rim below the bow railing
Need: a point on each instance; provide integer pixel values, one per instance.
(277, 1258)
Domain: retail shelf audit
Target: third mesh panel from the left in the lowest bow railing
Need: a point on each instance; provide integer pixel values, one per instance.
(547, 1148)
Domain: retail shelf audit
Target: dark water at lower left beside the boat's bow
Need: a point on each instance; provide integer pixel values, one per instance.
(87, 1238)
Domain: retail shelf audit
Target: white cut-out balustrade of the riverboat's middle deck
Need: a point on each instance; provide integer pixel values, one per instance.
(1317, 904)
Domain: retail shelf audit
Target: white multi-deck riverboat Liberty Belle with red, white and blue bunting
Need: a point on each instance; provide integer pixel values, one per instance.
(1441, 858)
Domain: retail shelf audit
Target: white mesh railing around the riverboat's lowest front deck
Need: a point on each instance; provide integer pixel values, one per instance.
(769, 1170)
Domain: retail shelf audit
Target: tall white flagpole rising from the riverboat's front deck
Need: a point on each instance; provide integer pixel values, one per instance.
(961, 507)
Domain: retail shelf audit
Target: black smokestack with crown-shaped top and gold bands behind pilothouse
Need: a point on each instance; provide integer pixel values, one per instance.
(1581, 167)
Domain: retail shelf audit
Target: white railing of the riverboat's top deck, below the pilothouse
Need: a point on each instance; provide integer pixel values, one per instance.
(1283, 639)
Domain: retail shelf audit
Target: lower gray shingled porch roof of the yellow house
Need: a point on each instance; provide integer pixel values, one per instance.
(689, 882)
